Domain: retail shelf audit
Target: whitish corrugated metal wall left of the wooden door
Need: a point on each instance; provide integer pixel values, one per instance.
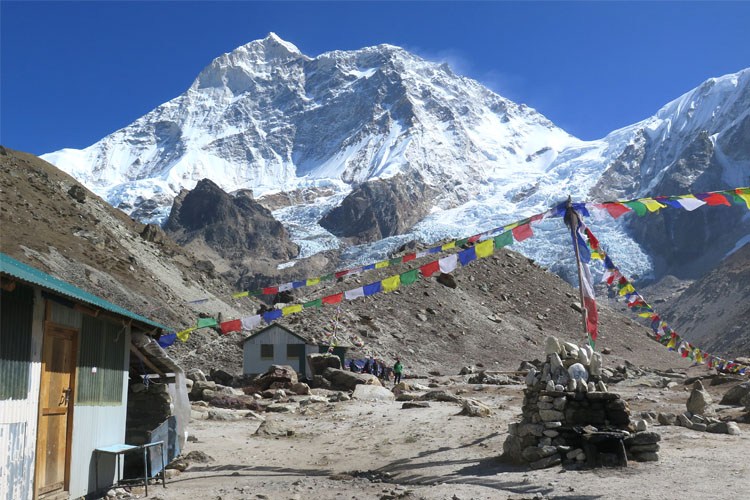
(18, 420)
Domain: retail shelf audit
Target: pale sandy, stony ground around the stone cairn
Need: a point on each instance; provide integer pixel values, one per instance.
(360, 449)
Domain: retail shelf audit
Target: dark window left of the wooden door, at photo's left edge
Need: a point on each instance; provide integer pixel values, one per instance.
(16, 315)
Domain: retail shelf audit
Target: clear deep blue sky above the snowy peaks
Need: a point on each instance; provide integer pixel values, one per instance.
(73, 72)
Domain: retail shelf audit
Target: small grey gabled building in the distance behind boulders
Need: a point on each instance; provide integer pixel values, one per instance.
(277, 345)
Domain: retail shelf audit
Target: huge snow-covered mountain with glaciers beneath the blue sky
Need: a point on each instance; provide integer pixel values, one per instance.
(268, 118)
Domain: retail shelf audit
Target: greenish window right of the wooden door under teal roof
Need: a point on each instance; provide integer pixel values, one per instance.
(101, 363)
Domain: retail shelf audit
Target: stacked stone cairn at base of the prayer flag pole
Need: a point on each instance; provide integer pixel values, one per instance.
(567, 410)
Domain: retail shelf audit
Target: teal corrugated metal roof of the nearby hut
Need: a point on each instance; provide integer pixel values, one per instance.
(24, 272)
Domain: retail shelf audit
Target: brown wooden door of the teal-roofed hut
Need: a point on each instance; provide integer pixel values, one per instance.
(55, 409)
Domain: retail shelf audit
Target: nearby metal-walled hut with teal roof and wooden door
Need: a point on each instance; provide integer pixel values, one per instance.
(64, 370)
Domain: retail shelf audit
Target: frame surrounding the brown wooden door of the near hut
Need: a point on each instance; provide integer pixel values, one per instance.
(71, 400)
